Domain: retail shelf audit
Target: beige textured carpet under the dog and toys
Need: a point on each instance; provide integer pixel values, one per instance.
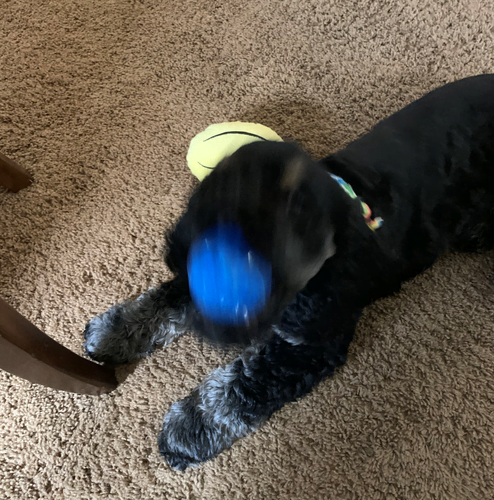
(99, 101)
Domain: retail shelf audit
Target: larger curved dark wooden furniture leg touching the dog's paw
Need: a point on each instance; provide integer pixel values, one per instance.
(27, 352)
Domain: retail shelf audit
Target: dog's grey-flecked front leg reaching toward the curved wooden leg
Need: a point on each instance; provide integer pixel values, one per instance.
(133, 329)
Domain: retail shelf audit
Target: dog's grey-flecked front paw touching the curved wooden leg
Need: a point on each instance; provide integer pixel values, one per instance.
(108, 339)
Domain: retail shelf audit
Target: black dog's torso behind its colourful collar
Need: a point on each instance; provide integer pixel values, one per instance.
(428, 171)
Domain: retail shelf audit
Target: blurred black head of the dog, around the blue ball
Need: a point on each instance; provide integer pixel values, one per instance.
(285, 203)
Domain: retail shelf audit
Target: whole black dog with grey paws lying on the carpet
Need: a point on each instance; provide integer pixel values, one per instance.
(427, 171)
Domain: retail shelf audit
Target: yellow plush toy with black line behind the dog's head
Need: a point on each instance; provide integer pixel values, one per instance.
(220, 140)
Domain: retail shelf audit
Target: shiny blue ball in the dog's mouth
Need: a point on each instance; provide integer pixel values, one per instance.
(229, 281)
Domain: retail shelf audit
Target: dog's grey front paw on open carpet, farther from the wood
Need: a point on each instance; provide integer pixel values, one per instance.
(187, 439)
